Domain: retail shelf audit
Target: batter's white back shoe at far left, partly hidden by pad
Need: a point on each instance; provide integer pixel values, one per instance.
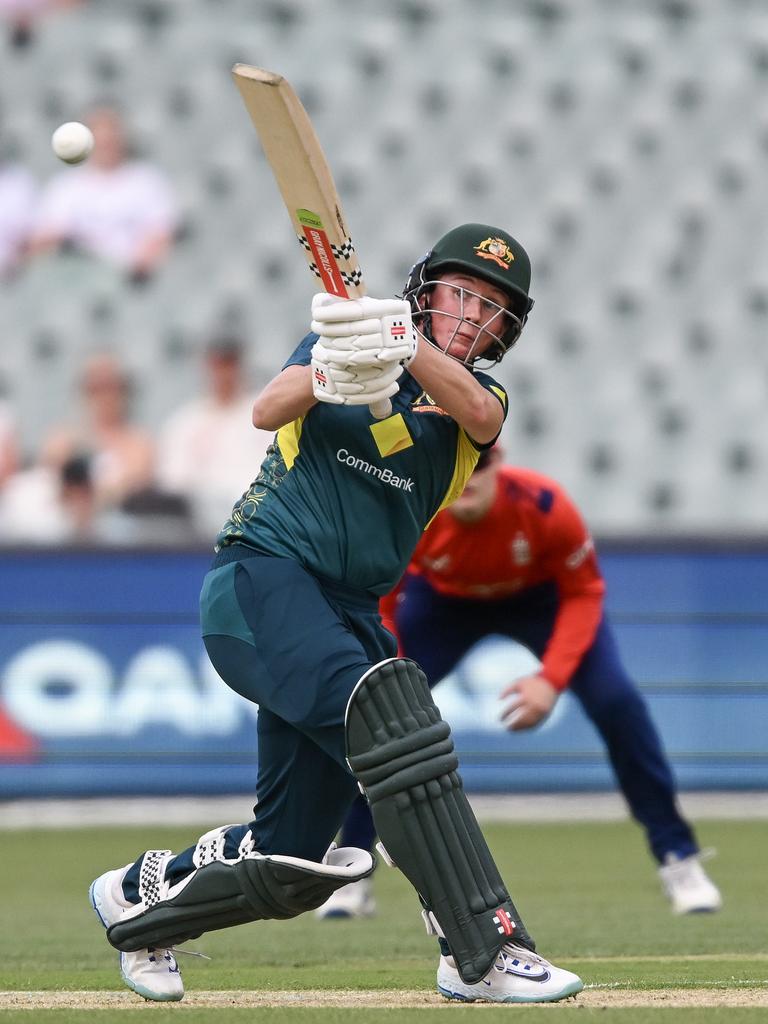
(152, 973)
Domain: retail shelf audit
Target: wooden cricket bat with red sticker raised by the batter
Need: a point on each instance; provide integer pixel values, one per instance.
(307, 185)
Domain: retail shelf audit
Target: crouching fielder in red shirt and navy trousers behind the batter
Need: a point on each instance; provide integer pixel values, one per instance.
(514, 558)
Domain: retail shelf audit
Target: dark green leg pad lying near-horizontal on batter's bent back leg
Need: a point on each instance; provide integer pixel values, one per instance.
(225, 893)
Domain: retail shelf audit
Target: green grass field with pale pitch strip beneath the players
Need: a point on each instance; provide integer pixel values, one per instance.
(588, 892)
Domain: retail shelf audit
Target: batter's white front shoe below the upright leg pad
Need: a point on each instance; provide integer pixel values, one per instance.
(518, 976)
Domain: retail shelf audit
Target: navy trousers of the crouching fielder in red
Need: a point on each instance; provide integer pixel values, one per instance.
(439, 631)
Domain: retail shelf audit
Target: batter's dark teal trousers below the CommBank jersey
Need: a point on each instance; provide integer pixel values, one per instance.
(297, 647)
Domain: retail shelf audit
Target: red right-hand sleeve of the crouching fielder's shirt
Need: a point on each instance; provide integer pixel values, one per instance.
(581, 589)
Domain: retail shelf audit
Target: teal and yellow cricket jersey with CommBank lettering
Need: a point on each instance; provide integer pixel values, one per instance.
(349, 496)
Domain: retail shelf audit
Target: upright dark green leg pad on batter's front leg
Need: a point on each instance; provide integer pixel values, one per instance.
(402, 753)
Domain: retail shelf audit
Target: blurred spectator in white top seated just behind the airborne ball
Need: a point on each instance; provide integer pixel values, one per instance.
(116, 208)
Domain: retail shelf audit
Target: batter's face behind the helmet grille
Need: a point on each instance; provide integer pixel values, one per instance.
(468, 315)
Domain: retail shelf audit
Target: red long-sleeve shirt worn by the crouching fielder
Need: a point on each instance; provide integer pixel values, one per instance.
(533, 534)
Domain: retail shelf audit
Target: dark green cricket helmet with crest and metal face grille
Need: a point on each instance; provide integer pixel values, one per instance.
(485, 252)
